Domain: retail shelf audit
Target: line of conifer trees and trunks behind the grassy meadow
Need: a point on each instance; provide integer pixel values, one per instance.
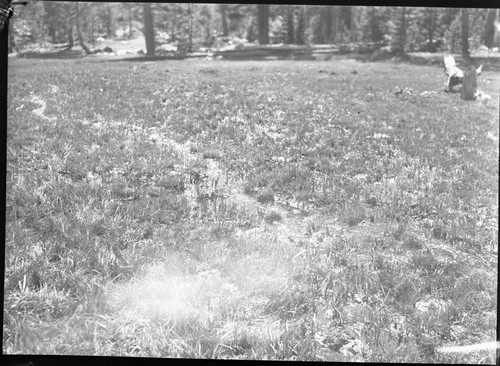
(191, 26)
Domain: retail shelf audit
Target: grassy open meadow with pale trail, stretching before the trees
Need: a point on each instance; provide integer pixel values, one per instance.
(291, 210)
